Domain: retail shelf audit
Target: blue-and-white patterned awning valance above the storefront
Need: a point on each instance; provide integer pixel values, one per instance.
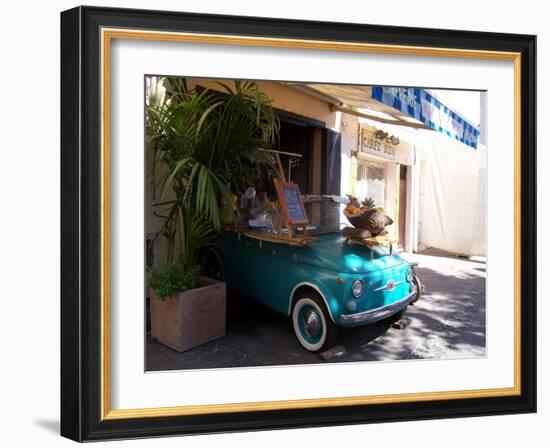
(421, 105)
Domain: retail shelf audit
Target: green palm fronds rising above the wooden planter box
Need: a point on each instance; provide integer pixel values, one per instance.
(205, 146)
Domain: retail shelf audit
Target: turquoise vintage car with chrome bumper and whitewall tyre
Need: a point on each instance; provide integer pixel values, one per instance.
(330, 283)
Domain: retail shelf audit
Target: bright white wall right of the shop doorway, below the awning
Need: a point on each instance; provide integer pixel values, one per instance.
(452, 195)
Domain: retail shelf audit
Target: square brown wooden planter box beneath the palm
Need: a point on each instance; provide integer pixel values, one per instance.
(190, 318)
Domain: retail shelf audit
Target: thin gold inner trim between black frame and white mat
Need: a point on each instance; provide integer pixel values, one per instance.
(107, 35)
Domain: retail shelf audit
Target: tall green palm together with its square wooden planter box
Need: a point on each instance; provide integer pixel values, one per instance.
(204, 145)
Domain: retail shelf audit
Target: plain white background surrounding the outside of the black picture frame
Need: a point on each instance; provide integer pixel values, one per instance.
(30, 162)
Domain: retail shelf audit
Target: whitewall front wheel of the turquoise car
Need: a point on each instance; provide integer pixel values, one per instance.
(312, 324)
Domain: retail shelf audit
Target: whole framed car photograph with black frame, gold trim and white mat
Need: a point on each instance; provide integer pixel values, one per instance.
(272, 223)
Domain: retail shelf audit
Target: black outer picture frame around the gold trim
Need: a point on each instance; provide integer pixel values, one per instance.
(81, 215)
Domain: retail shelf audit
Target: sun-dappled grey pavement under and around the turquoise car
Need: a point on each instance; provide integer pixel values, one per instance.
(448, 322)
